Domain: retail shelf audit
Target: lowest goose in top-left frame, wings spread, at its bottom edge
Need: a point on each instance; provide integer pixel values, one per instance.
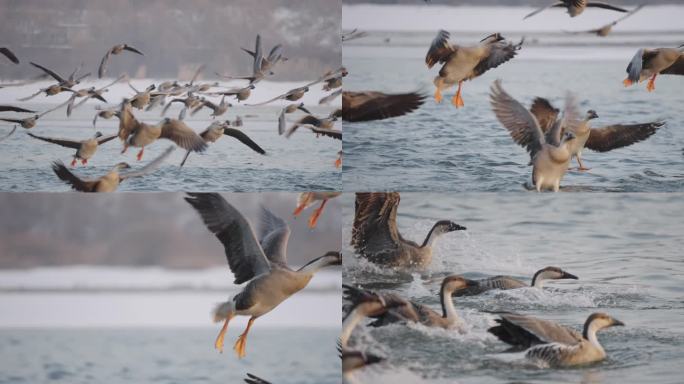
(109, 182)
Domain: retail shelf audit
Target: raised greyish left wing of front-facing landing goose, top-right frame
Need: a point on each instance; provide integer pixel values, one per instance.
(520, 123)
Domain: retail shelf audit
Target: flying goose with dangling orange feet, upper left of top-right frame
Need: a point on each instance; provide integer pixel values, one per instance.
(461, 63)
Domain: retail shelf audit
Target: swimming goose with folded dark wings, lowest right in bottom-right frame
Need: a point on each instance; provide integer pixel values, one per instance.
(552, 343)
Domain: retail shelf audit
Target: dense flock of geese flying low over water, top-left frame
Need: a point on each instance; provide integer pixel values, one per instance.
(193, 96)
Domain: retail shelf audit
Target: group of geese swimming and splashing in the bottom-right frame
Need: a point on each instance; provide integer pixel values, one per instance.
(376, 238)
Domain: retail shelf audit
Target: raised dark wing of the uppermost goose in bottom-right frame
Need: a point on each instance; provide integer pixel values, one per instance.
(375, 222)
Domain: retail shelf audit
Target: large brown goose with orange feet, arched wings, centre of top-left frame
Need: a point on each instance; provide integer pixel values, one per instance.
(171, 129)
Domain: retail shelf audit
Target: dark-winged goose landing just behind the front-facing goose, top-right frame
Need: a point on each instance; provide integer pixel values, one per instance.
(602, 139)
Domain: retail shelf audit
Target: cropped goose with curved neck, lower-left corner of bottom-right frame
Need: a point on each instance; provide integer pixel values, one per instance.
(367, 304)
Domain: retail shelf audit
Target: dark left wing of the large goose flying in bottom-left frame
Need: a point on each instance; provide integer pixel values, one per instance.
(245, 256)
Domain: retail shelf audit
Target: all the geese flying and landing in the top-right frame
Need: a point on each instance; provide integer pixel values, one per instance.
(551, 138)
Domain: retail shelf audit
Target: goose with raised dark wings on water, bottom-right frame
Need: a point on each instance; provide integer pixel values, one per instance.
(375, 235)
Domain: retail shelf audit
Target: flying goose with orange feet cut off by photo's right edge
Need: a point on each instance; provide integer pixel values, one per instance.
(648, 63)
